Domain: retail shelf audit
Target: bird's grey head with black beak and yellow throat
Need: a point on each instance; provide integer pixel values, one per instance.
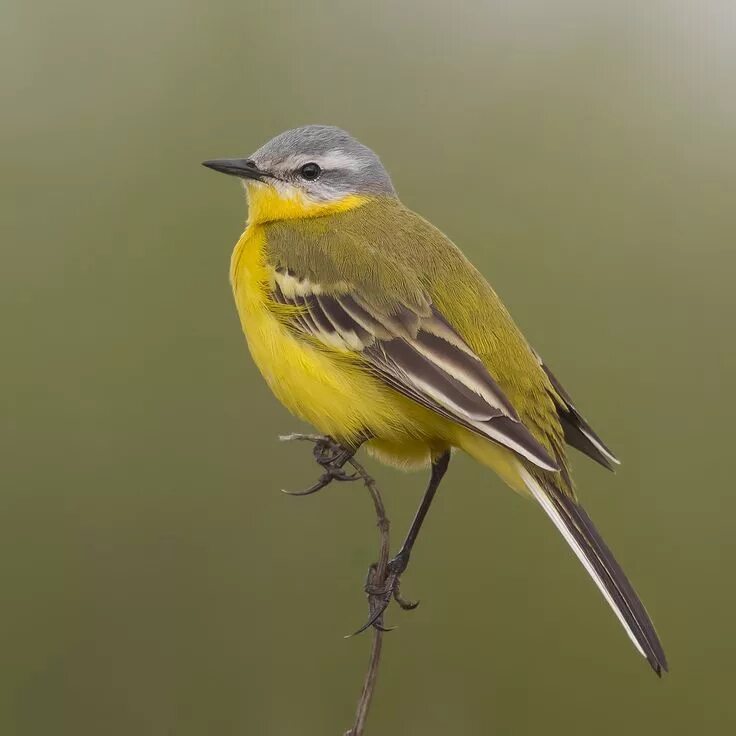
(306, 172)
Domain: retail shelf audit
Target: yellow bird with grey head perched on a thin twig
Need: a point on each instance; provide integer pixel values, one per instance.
(370, 324)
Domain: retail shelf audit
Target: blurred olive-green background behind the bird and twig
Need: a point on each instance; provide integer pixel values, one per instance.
(154, 580)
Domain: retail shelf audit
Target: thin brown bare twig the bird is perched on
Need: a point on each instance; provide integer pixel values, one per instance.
(375, 583)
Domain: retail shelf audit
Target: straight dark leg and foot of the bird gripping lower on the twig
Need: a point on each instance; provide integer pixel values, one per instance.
(398, 564)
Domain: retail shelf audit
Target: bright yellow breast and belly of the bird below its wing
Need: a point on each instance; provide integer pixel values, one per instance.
(331, 390)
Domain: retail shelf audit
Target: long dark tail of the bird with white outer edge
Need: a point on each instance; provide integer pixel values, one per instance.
(577, 528)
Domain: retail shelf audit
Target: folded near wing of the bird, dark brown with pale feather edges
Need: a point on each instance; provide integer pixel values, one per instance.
(417, 353)
